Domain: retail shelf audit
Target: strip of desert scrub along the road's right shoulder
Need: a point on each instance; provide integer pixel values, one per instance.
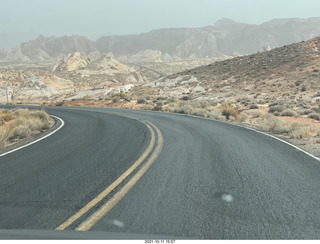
(277, 118)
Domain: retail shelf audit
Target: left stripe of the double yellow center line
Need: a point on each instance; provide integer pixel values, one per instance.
(103, 194)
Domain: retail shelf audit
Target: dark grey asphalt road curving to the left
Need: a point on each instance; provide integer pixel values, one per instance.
(208, 179)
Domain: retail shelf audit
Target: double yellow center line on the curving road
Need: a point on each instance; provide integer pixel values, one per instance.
(104, 209)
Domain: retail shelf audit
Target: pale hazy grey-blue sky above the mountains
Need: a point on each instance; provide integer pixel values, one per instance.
(94, 18)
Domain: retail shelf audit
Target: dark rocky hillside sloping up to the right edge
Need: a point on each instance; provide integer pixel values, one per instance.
(290, 72)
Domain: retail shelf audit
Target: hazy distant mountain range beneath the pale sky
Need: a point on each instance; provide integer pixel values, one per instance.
(225, 37)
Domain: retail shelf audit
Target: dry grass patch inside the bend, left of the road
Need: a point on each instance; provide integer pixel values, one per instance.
(22, 124)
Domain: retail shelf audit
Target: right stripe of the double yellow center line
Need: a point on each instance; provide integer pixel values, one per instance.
(102, 211)
